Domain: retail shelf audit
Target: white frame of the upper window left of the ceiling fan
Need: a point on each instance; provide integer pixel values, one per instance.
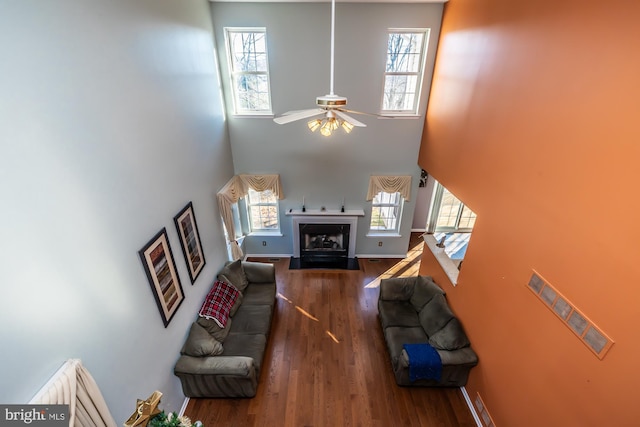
(234, 75)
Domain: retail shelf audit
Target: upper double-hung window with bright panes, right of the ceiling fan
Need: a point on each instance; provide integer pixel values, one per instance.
(406, 52)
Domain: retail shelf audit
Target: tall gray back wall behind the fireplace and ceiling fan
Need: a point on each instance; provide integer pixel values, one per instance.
(325, 170)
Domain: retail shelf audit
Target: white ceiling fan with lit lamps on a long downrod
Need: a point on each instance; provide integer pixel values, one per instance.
(331, 106)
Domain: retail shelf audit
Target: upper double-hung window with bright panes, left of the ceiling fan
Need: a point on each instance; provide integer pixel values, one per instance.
(249, 70)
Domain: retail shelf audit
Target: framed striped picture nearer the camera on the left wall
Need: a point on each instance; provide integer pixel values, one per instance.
(163, 276)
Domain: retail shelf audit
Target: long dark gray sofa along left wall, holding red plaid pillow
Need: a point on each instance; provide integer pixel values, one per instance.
(226, 362)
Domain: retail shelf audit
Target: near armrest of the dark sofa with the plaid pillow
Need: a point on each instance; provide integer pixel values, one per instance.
(215, 365)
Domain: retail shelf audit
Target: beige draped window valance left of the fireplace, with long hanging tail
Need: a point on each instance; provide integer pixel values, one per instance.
(234, 190)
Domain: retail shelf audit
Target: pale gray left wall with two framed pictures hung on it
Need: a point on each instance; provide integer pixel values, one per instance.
(111, 122)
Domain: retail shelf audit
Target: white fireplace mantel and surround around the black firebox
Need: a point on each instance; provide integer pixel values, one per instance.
(325, 217)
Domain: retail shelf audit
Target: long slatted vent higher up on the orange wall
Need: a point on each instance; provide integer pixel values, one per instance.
(590, 335)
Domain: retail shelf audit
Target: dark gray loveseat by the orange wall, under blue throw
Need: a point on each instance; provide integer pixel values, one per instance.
(414, 310)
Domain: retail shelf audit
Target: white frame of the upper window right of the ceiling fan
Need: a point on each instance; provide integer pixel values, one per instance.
(419, 74)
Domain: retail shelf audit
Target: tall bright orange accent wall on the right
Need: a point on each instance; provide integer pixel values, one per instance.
(534, 122)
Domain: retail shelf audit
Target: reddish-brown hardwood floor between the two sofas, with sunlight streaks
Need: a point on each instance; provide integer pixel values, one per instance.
(326, 362)
